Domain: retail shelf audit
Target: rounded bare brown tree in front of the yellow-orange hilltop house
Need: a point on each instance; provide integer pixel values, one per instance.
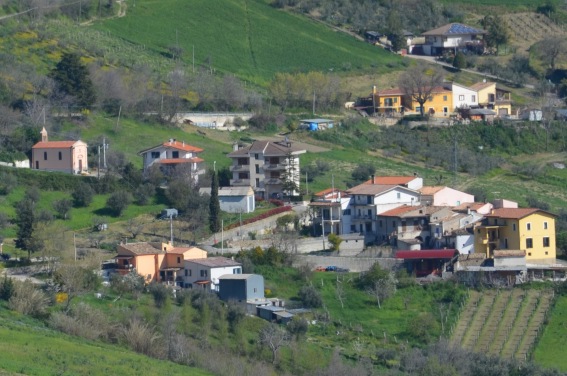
(419, 82)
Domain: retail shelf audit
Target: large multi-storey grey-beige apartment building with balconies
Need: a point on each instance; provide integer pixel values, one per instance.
(265, 166)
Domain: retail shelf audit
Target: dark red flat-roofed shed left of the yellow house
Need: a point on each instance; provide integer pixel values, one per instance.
(426, 262)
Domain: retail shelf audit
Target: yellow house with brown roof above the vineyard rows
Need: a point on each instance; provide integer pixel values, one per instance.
(529, 230)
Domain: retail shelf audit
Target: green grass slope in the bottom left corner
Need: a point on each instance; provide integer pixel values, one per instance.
(27, 347)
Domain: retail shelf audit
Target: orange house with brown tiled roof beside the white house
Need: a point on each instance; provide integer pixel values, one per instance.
(159, 262)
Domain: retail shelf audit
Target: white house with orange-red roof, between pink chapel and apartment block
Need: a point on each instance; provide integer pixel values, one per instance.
(174, 153)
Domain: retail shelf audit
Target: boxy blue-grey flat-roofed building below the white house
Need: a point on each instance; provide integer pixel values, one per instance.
(241, 287)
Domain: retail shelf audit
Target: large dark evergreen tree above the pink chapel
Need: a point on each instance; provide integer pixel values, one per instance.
(72, 78)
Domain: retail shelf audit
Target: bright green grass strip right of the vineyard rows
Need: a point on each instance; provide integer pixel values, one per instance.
(550, 351)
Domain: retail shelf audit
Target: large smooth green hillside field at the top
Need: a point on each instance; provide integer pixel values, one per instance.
(248, 38)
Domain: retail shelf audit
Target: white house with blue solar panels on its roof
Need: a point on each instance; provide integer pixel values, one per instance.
(452, 36)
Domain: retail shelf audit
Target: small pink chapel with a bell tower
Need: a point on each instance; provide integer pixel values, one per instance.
(62, 156)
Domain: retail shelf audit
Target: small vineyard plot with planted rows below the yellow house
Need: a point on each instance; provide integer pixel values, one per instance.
(502, 323)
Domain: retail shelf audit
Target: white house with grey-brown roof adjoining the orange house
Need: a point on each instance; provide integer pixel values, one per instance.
(204, 272)
